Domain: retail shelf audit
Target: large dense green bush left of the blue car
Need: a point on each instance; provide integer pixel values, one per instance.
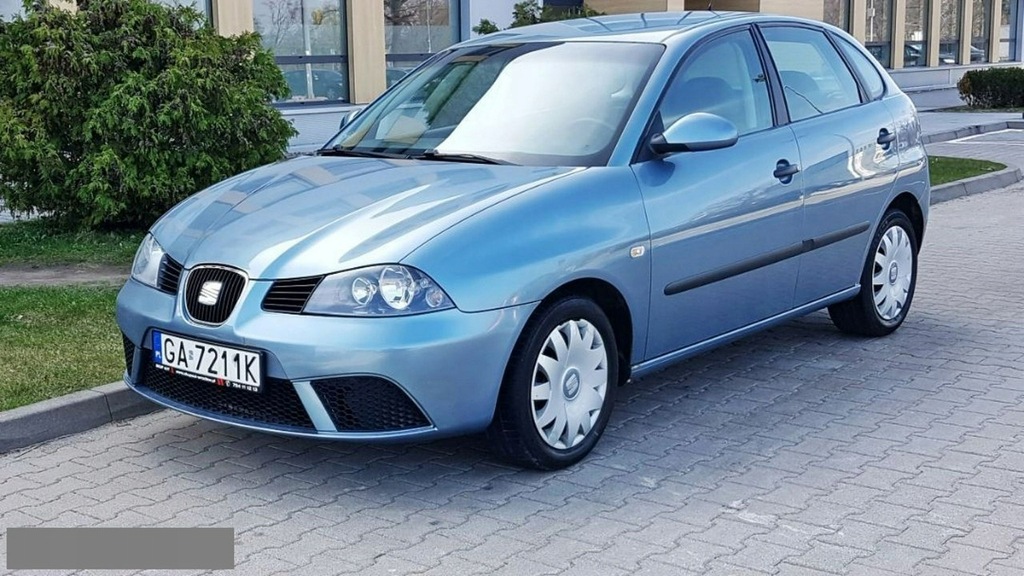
(113, 113)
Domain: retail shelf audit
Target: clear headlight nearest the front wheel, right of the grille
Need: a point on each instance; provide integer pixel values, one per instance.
(387, 291)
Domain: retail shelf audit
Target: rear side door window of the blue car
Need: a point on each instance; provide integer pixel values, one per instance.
(816, 79)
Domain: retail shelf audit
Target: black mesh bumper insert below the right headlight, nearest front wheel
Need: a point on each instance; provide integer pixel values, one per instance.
(368, 404)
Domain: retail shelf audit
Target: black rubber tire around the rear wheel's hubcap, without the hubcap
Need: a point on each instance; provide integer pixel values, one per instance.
(861, 316)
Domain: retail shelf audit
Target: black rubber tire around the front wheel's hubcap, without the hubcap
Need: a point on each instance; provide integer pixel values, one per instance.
(514, 434)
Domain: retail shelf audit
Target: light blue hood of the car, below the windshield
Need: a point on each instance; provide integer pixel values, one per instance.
(315, 216)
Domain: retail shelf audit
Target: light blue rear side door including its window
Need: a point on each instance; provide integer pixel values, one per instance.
(847, 153)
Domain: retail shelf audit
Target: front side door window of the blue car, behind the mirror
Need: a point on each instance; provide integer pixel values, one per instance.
(723, 77)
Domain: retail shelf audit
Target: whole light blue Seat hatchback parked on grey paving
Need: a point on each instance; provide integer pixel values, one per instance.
(530, 220)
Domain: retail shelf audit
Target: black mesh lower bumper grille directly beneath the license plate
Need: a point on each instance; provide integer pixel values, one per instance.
(278, 404)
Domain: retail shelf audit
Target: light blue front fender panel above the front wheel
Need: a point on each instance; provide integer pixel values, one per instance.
(523, 250)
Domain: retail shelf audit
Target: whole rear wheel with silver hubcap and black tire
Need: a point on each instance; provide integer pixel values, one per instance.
(887, 283)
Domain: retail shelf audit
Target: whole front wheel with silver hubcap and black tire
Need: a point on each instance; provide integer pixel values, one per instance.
(560, 387)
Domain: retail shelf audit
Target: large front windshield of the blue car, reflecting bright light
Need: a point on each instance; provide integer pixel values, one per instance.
(535, 104)
